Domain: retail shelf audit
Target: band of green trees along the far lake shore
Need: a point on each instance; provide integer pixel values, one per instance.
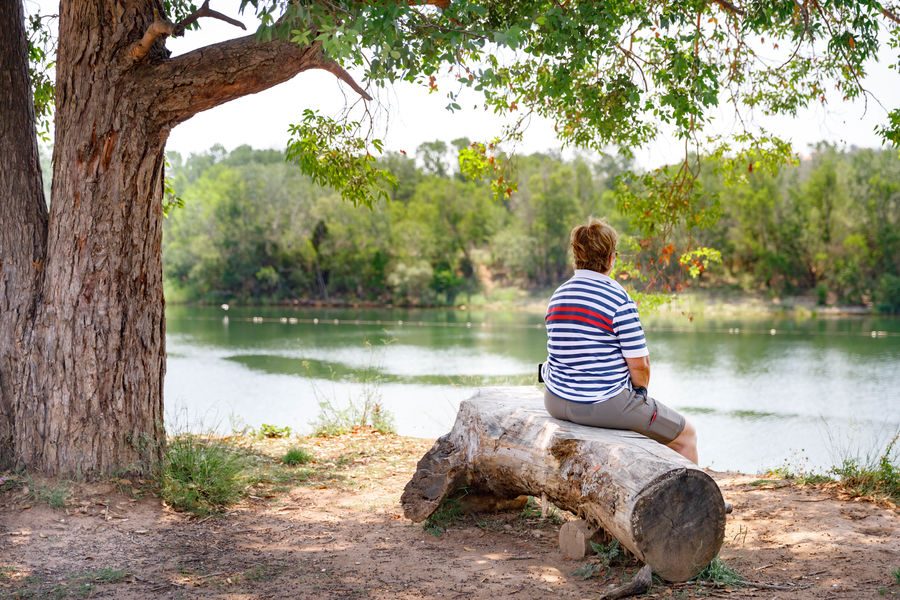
(255, 229)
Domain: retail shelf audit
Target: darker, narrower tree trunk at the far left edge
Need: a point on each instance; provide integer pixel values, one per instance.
(23, 214)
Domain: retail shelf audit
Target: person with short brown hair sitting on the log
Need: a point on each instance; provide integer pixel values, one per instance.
(598, 364)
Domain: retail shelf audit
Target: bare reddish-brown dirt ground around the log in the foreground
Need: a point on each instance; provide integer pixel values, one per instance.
(346, 537)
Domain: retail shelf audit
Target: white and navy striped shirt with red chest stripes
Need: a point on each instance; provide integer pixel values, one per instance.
(592, 326)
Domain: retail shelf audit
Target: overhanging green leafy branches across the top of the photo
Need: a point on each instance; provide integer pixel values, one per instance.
(610, 75)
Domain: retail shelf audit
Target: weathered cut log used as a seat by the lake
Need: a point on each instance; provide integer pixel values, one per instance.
(664, 509)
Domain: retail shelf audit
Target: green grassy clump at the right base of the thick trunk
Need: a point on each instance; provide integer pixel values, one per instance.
(201, 476)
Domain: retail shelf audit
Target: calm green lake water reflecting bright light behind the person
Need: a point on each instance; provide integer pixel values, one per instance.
(761, 392)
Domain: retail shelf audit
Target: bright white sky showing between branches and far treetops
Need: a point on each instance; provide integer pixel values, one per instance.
(409, 114)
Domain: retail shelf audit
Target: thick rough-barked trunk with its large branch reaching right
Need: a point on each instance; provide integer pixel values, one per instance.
(90, 401)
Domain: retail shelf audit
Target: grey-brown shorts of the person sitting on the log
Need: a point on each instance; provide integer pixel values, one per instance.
(625, 410)
